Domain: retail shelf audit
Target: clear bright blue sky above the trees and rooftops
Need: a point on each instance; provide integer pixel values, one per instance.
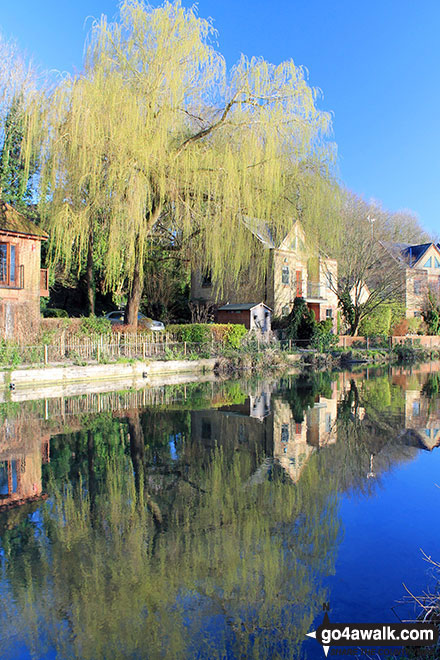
(377, 64)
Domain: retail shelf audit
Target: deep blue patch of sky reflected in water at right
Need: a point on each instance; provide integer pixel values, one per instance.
(381, 549)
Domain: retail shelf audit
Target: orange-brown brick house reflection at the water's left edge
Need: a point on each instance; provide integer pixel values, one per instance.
(23, 450)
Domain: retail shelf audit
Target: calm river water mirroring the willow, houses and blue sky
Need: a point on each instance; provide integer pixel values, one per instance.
(213, 520)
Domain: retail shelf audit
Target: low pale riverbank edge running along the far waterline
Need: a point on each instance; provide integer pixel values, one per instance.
(150, 371)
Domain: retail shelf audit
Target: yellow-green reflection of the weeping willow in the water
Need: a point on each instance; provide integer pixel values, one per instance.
(237, 569)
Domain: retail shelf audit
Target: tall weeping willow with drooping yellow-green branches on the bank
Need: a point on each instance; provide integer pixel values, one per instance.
(157, 126)
